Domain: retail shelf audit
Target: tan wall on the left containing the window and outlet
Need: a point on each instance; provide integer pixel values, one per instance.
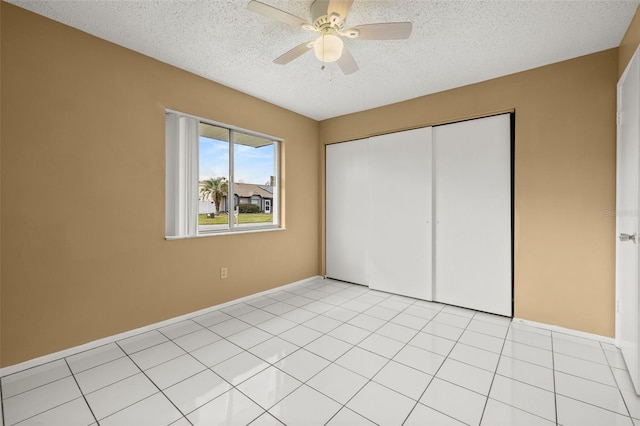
(84, 254)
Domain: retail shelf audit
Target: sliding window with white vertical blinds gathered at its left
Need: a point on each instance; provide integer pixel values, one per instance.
(219, 178)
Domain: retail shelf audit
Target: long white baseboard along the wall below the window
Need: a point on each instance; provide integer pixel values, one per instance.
(101, 342)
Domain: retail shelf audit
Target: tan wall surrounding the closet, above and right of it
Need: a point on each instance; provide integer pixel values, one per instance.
(564, 179)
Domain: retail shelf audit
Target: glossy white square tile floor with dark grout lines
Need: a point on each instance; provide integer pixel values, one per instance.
(326, 352)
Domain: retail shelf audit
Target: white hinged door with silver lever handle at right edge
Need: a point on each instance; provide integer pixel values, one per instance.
(627, 327)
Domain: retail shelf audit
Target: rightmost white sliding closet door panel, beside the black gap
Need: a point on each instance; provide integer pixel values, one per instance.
(472, 184)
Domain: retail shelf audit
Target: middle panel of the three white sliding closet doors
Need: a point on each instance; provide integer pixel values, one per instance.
(400, 213)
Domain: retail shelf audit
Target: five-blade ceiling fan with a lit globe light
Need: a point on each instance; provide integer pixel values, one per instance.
(329, 22)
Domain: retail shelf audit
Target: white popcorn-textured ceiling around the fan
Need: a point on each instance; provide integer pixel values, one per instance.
(454, 43)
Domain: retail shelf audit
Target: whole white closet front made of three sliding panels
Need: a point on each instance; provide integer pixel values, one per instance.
(425, 213)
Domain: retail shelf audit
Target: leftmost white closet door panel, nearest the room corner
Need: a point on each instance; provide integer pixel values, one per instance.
(347, 211)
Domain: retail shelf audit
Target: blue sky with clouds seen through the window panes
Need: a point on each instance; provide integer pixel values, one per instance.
(252, 165)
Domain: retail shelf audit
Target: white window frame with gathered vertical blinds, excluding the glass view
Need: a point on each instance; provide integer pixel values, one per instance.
(182, 165)
